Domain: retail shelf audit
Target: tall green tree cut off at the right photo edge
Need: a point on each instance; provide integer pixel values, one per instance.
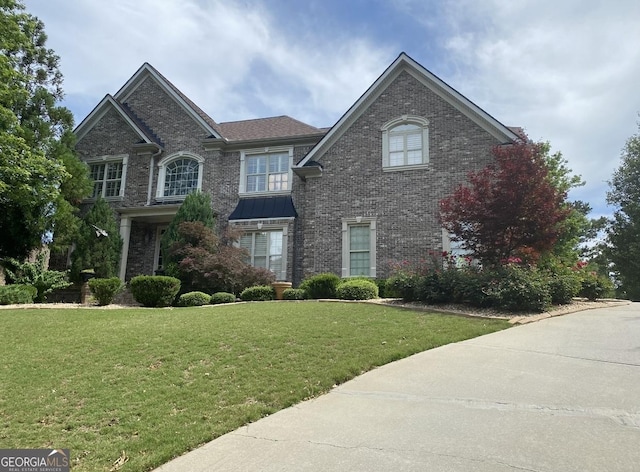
(623, 233)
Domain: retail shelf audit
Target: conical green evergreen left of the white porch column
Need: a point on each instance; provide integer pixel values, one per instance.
(98, 243)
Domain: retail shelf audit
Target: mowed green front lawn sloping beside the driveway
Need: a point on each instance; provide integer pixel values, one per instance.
(156, 383)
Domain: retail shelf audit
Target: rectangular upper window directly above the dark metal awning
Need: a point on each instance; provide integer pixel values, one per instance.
(266, 171)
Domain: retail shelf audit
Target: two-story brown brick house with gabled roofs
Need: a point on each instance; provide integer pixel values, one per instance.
(349, 199)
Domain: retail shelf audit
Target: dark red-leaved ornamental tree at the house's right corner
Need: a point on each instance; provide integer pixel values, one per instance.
(509, 209)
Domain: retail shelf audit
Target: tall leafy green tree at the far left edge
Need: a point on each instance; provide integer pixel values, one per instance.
(41, 181)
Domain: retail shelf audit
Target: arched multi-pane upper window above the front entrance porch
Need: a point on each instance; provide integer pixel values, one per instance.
(179, 175)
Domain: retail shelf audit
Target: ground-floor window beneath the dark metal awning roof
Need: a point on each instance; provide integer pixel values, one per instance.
(266, 250)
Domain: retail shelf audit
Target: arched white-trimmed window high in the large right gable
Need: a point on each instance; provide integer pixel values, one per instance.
(405, 143)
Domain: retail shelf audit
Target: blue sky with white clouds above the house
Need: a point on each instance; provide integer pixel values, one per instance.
(567, 71)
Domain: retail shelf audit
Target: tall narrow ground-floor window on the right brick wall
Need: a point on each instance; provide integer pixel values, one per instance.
(359, 247)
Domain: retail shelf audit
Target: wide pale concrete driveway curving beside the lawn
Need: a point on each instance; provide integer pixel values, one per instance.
(559, 395)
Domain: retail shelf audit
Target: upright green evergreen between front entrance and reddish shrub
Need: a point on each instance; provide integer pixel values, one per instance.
(195, 207)
